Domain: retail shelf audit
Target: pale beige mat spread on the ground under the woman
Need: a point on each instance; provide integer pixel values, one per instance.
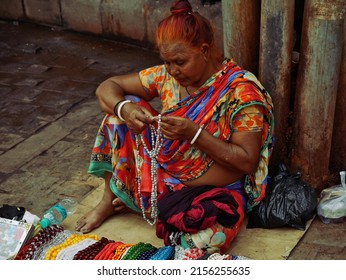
(255, 244)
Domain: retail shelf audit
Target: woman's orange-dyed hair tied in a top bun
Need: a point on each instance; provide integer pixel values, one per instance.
(185, 26)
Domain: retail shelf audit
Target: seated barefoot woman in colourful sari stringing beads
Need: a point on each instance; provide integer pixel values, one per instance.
(193, 168)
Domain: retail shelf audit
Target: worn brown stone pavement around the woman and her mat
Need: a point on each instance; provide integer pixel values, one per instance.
(49, 116)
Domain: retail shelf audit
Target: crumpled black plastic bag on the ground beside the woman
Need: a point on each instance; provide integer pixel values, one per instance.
(288, 202)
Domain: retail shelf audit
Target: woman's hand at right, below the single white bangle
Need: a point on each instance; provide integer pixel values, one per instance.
(178, 128)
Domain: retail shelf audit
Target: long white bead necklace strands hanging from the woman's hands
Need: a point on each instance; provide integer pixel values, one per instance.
(156, 143)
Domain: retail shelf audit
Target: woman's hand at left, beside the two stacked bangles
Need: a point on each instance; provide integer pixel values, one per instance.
(137, 118)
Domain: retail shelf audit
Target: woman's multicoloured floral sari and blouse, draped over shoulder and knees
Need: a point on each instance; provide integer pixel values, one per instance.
(212, 106)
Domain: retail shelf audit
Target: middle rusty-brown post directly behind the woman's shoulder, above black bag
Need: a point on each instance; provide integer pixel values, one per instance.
(275, 53)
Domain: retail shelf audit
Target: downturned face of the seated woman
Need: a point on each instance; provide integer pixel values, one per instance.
(187, 65)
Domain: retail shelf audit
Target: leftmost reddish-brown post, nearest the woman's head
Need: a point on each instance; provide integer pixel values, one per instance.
(241, 20)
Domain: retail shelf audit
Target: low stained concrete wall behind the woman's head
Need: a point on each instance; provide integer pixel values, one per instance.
(132, 21)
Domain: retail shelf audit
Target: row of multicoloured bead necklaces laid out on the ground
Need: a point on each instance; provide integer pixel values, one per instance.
(55, 243)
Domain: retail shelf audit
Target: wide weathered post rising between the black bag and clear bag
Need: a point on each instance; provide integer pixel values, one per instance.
(317, 82)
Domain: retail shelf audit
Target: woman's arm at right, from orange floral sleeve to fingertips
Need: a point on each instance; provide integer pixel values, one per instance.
(241, 154)
